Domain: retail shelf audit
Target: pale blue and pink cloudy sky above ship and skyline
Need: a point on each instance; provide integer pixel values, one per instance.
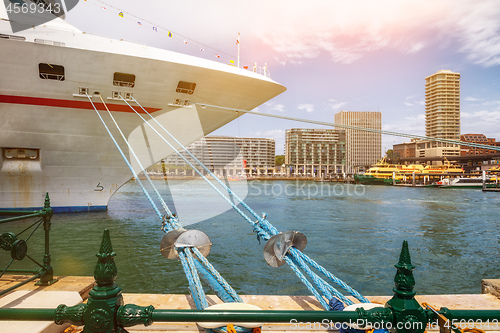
(357, 55)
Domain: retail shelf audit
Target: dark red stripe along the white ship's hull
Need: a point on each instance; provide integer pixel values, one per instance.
(65, 103)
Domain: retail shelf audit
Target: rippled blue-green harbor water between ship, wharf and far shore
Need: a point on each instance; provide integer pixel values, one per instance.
(355, 231)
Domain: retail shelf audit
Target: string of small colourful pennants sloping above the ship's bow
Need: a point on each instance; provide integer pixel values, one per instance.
(168, 33)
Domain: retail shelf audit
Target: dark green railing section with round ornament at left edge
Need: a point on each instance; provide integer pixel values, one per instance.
(18, 248)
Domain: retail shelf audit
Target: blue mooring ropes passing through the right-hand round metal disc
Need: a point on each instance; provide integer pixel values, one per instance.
(266, 228)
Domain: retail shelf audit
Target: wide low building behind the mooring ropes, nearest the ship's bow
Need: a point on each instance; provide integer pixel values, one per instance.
(229, 155)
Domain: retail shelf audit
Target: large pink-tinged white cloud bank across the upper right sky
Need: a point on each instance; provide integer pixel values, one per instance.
(348, 30)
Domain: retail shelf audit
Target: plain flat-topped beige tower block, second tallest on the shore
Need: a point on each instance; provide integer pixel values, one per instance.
(362, 148)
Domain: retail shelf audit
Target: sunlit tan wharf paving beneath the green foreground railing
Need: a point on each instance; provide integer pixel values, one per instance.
(30, 295)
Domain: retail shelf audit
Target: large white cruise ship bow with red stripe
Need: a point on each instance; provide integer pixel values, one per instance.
(51, 139)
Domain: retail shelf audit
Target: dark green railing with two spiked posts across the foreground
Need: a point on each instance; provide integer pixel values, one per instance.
(105, 312)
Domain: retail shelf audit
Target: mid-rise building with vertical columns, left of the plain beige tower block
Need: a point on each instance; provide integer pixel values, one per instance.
(318, 152)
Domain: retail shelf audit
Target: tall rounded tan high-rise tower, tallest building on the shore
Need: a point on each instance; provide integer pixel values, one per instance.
(442, 114)
